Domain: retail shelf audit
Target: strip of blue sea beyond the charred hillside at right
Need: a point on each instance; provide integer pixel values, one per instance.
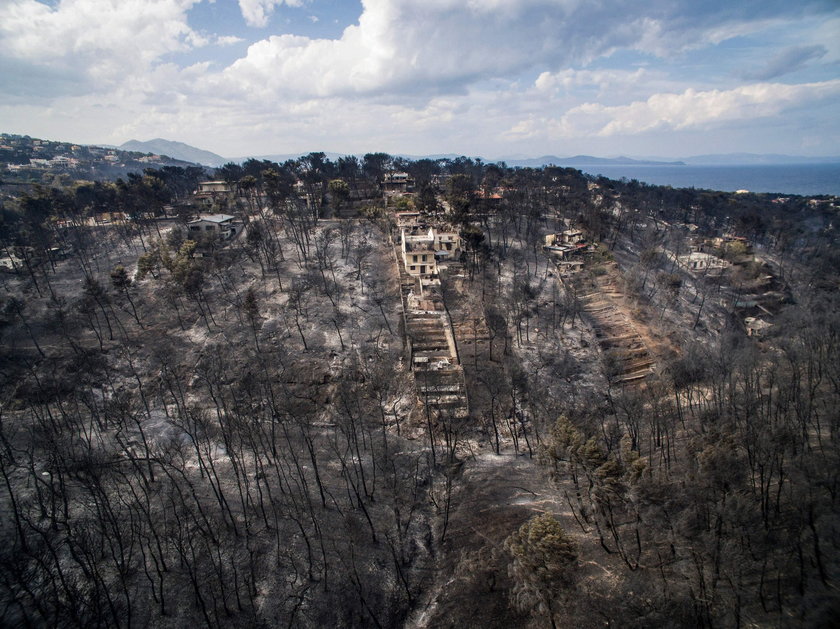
(802, 179)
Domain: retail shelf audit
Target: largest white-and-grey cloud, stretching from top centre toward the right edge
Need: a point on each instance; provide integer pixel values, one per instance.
(435, 46)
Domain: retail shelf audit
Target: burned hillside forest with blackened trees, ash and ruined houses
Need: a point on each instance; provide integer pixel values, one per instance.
(376, 392)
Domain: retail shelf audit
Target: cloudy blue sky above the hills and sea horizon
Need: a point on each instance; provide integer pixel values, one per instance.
(492, 78)
